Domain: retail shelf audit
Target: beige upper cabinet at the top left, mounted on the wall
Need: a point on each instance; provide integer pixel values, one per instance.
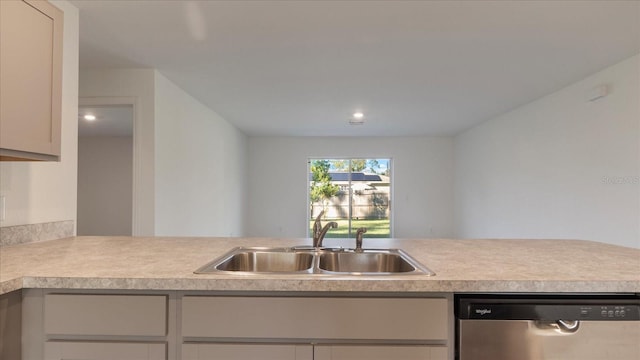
(30, 80)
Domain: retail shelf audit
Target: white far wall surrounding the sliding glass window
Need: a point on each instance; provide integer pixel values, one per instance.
(422, 182)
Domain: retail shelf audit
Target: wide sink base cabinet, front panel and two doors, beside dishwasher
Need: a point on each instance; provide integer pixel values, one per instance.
(326, 328)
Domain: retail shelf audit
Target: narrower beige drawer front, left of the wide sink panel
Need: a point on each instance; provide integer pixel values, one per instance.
(120, 315)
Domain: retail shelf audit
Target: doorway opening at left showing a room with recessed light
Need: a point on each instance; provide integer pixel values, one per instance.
(105, 170)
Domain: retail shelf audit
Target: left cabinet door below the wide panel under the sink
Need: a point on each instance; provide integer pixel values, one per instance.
(246, 351)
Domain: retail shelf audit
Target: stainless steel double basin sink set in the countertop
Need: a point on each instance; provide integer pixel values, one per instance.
(308, 260)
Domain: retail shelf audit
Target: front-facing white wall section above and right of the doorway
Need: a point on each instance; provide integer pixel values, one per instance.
(100, 84)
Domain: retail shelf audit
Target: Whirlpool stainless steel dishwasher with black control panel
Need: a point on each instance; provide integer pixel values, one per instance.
(547, 327)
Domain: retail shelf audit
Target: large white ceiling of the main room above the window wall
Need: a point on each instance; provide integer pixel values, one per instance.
(301, 68)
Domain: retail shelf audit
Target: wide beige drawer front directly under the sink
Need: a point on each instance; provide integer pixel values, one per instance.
(315, 318)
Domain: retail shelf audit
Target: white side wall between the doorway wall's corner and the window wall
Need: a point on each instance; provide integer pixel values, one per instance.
(200, 167)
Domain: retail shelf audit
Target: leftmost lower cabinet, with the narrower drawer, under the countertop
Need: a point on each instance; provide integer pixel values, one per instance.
(96, 326)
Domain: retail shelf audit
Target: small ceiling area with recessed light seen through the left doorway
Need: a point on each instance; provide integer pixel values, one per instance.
(110, 121)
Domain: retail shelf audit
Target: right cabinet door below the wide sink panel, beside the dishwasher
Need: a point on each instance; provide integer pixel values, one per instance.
(375, 352)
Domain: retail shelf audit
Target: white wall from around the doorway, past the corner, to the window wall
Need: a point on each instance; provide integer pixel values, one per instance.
(190, 163)
